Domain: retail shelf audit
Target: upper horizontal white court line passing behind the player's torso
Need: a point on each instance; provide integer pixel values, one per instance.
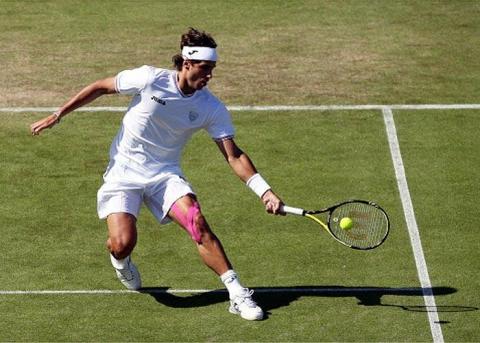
(269, 108)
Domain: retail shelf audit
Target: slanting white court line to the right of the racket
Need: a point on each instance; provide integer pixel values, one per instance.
(412, 226)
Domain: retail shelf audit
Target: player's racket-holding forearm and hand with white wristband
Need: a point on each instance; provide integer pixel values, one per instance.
(246, 171)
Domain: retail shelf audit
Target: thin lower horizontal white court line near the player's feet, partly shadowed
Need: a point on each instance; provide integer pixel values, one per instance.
(322, 290)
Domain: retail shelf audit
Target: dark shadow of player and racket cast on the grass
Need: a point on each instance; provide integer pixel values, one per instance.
(276, 297)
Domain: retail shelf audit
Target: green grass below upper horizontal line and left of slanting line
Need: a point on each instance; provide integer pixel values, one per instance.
(59, 231)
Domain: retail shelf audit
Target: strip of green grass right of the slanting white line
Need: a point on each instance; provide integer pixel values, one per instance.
(441, 160)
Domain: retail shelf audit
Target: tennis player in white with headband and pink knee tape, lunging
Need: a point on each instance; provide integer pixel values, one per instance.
(167, 107)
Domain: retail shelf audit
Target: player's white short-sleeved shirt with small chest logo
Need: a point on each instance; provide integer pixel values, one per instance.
(160, 120)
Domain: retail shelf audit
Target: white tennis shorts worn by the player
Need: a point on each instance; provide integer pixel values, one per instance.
(125, 189)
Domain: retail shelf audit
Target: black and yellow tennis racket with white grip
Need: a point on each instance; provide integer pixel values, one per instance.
(370, 222)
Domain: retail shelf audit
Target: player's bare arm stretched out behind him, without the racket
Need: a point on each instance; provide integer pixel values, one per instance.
(85, 96)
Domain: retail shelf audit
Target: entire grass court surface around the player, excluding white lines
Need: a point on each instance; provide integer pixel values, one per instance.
(309, 52)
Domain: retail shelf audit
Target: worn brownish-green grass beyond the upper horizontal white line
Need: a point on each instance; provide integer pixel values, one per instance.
(271, 52)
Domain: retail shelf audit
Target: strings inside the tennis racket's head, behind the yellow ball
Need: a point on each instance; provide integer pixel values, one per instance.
(370, 224)
